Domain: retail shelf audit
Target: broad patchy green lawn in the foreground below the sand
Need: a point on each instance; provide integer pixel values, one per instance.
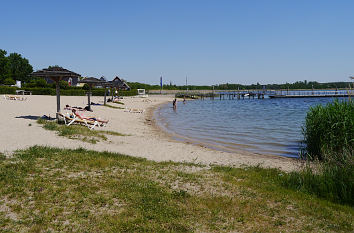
(48, 189)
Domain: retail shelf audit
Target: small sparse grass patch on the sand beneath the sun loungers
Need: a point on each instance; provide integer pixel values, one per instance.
(78, 132)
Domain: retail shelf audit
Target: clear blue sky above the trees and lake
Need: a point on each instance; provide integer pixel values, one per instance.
(211, 42)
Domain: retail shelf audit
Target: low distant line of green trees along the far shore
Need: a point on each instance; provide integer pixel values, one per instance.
(228, 86)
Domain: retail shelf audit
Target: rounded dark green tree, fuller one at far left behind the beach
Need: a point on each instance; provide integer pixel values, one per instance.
(19, 67)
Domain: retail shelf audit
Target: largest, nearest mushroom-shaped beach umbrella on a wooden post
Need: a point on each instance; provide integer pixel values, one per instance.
(56, 74)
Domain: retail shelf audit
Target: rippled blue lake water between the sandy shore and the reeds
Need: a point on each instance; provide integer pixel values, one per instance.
(268, 126)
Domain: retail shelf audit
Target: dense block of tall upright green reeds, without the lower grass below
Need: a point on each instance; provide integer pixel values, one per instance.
(329, 129)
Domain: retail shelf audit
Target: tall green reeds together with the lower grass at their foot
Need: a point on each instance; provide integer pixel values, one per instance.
(329, 139)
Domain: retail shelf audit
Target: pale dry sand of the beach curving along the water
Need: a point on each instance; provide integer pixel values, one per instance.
(145, 138)
